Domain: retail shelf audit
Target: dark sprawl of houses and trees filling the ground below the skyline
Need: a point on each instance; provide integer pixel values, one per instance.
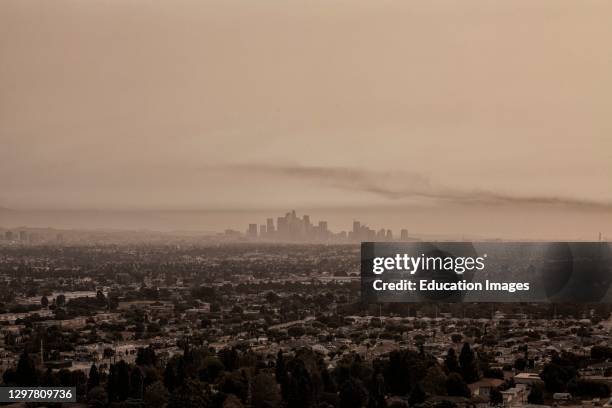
(274, 325)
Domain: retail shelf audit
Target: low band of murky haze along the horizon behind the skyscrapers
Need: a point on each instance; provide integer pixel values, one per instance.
(458, 223)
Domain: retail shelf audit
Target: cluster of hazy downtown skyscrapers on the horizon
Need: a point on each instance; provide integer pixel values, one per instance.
(290, 227)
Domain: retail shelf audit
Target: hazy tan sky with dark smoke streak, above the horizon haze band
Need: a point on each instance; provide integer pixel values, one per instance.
(272, 104)
